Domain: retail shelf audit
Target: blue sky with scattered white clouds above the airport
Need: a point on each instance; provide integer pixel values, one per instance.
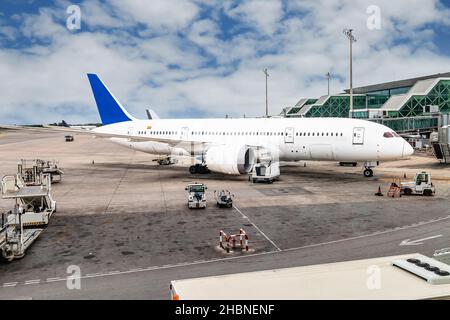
(204, 59)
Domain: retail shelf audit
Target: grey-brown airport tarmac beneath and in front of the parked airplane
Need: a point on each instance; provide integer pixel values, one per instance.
(123, 220)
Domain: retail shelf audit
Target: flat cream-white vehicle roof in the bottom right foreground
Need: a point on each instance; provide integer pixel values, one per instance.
(341, 280)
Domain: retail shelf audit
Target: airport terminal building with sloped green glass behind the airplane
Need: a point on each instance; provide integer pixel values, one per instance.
(418, 104)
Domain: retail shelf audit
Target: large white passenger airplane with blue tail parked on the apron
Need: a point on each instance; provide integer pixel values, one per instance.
(234, 146)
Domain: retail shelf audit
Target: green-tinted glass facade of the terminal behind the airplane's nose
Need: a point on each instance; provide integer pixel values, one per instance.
(408, 112)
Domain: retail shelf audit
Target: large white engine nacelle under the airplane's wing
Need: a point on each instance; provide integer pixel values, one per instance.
(230, 159)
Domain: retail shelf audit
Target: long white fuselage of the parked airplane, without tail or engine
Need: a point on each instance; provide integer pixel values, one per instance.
(293, 139)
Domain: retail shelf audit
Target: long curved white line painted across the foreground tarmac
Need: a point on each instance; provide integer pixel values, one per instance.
(154, 268)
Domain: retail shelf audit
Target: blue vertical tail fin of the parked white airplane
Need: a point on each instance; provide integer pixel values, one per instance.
(111, 111)
